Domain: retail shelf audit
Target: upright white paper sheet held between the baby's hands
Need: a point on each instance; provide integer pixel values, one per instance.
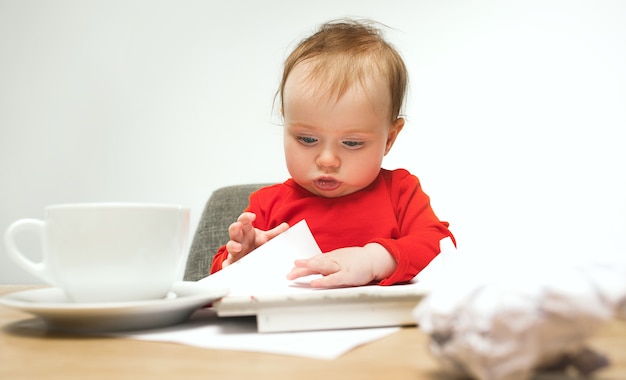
(264, 269)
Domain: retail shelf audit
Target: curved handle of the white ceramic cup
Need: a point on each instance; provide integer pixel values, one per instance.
(39, 269)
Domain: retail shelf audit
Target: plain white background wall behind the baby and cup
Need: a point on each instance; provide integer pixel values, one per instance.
(516, 115)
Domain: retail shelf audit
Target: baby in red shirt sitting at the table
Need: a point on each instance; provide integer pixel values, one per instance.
(341, 94)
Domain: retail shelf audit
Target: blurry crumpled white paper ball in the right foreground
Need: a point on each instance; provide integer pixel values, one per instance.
(508, 325)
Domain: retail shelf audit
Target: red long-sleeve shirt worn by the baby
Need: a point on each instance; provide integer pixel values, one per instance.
(393, 211)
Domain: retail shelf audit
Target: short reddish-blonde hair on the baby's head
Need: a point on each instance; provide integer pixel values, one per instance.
(344, 52)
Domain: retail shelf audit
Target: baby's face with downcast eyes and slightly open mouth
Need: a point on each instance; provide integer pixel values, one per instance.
(336, 147)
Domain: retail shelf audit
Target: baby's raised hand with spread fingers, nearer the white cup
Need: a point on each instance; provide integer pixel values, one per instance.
(244, 238)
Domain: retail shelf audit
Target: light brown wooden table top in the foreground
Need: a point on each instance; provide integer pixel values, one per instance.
(28, 351)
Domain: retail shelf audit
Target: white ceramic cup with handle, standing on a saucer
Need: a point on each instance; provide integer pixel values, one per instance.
(106, 252)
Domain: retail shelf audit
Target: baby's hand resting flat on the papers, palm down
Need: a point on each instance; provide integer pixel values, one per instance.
(352, 266)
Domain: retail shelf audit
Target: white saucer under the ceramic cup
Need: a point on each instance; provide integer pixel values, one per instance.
(59, 313)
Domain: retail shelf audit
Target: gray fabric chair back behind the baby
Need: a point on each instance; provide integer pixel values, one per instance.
(220, 211)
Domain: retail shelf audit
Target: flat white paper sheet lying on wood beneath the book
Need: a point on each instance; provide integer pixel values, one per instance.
(206, 330)
